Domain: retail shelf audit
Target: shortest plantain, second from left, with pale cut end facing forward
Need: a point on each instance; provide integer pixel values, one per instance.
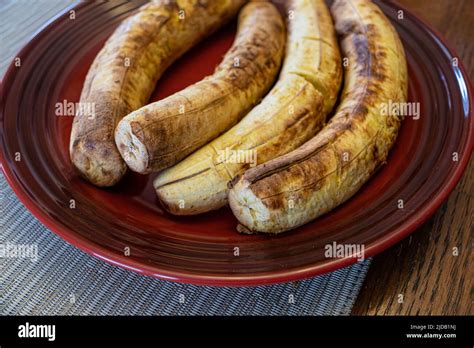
(162, 133)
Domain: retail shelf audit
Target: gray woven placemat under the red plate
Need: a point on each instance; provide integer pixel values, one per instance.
(66, 281)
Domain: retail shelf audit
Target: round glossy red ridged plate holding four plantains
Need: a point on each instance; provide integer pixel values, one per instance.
(200, 250)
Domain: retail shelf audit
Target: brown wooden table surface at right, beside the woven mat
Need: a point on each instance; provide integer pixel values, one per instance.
(422, 268)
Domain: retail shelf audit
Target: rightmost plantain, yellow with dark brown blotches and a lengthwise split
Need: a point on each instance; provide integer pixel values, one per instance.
(294, 189)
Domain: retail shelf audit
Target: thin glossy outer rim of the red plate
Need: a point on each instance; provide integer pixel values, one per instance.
(264, 278)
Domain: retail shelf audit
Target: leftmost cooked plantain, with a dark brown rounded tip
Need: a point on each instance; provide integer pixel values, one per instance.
(125, 72)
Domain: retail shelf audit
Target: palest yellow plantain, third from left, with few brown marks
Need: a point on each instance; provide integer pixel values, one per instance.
(290, 114)
